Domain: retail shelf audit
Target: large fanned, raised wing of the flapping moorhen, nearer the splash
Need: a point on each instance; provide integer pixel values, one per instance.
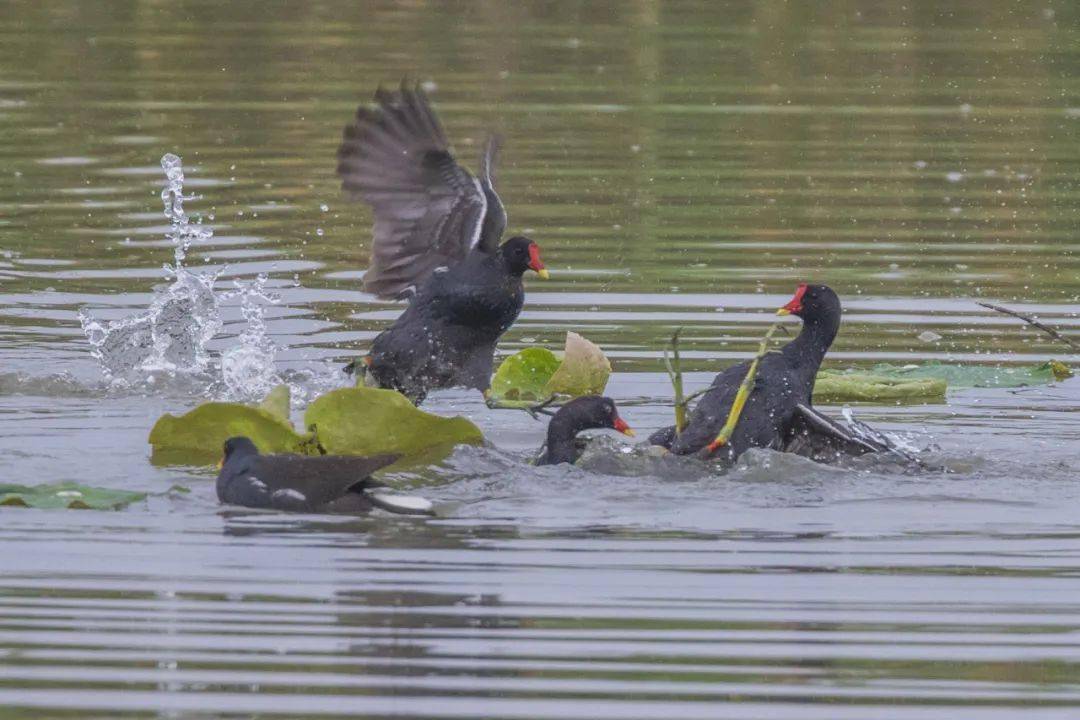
(429, 211)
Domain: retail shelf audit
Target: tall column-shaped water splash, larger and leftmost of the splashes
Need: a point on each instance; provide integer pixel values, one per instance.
(172, 334)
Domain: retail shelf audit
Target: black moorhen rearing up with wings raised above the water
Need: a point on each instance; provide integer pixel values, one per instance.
(437, 242)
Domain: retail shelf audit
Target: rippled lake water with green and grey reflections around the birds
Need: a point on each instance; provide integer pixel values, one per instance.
(681, 165)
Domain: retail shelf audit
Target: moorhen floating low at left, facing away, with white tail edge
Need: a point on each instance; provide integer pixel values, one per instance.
(303, 484)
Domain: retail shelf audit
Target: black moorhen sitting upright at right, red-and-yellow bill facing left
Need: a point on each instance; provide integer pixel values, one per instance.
(779, 407)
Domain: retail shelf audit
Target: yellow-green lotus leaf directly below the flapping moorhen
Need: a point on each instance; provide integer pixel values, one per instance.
(371, 422)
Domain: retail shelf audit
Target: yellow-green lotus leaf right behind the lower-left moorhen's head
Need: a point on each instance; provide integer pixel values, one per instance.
(196, 439)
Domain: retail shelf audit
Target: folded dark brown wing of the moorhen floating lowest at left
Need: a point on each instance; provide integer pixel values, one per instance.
(319, 480)
